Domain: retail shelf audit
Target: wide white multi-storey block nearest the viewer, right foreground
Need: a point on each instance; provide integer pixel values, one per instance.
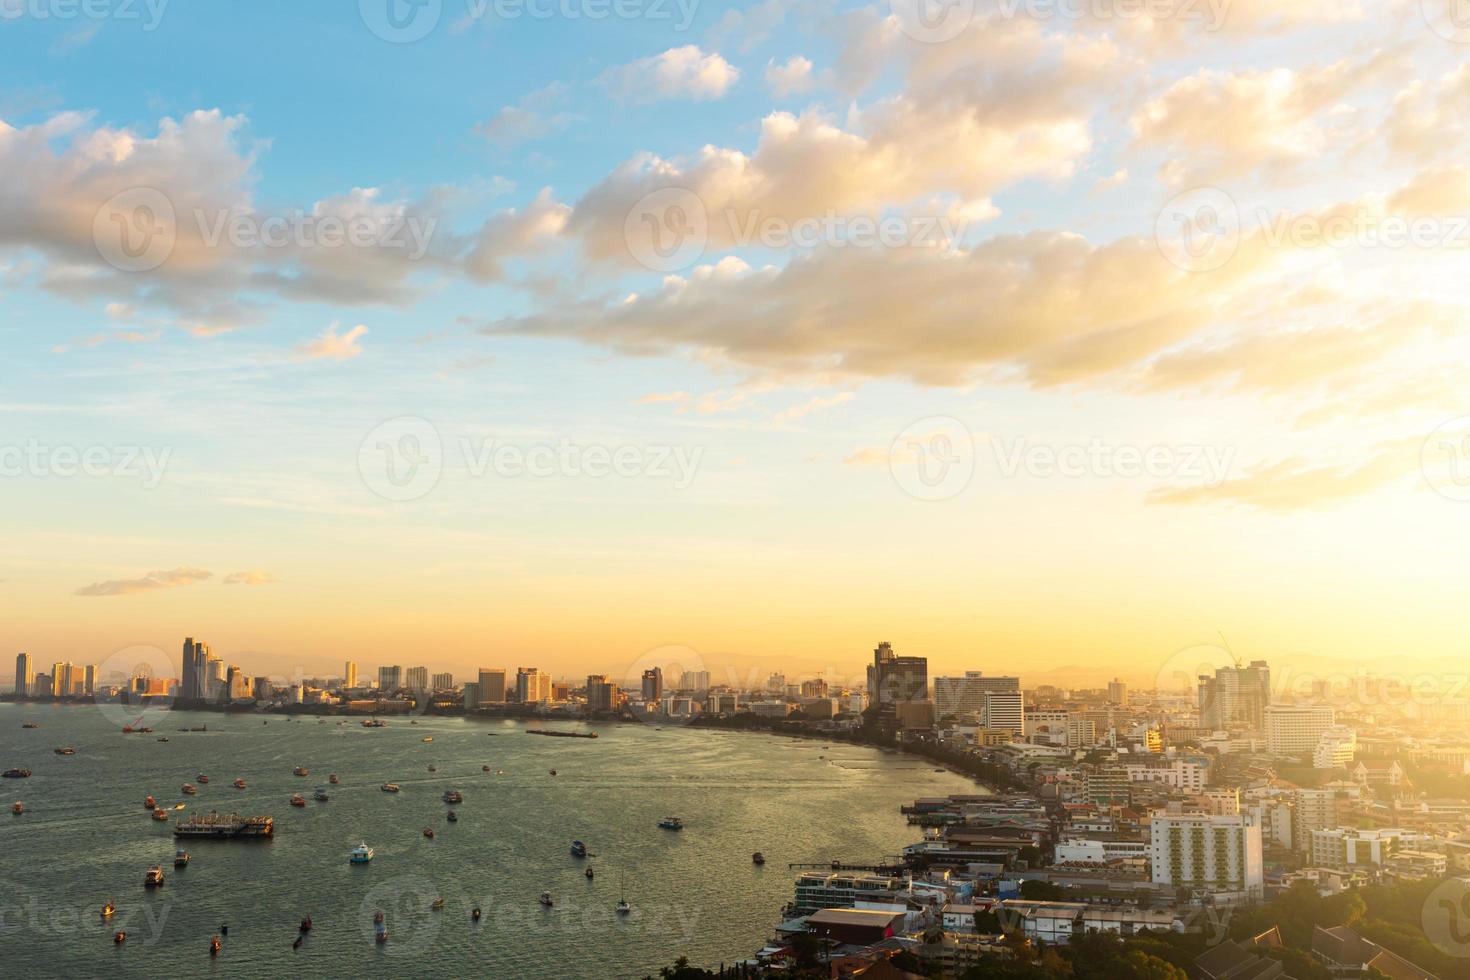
(1218, 856)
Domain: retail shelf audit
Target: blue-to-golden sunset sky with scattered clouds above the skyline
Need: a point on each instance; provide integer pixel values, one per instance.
(1030, 336)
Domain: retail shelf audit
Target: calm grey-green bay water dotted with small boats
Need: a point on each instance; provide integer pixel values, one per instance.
(86, 838)
